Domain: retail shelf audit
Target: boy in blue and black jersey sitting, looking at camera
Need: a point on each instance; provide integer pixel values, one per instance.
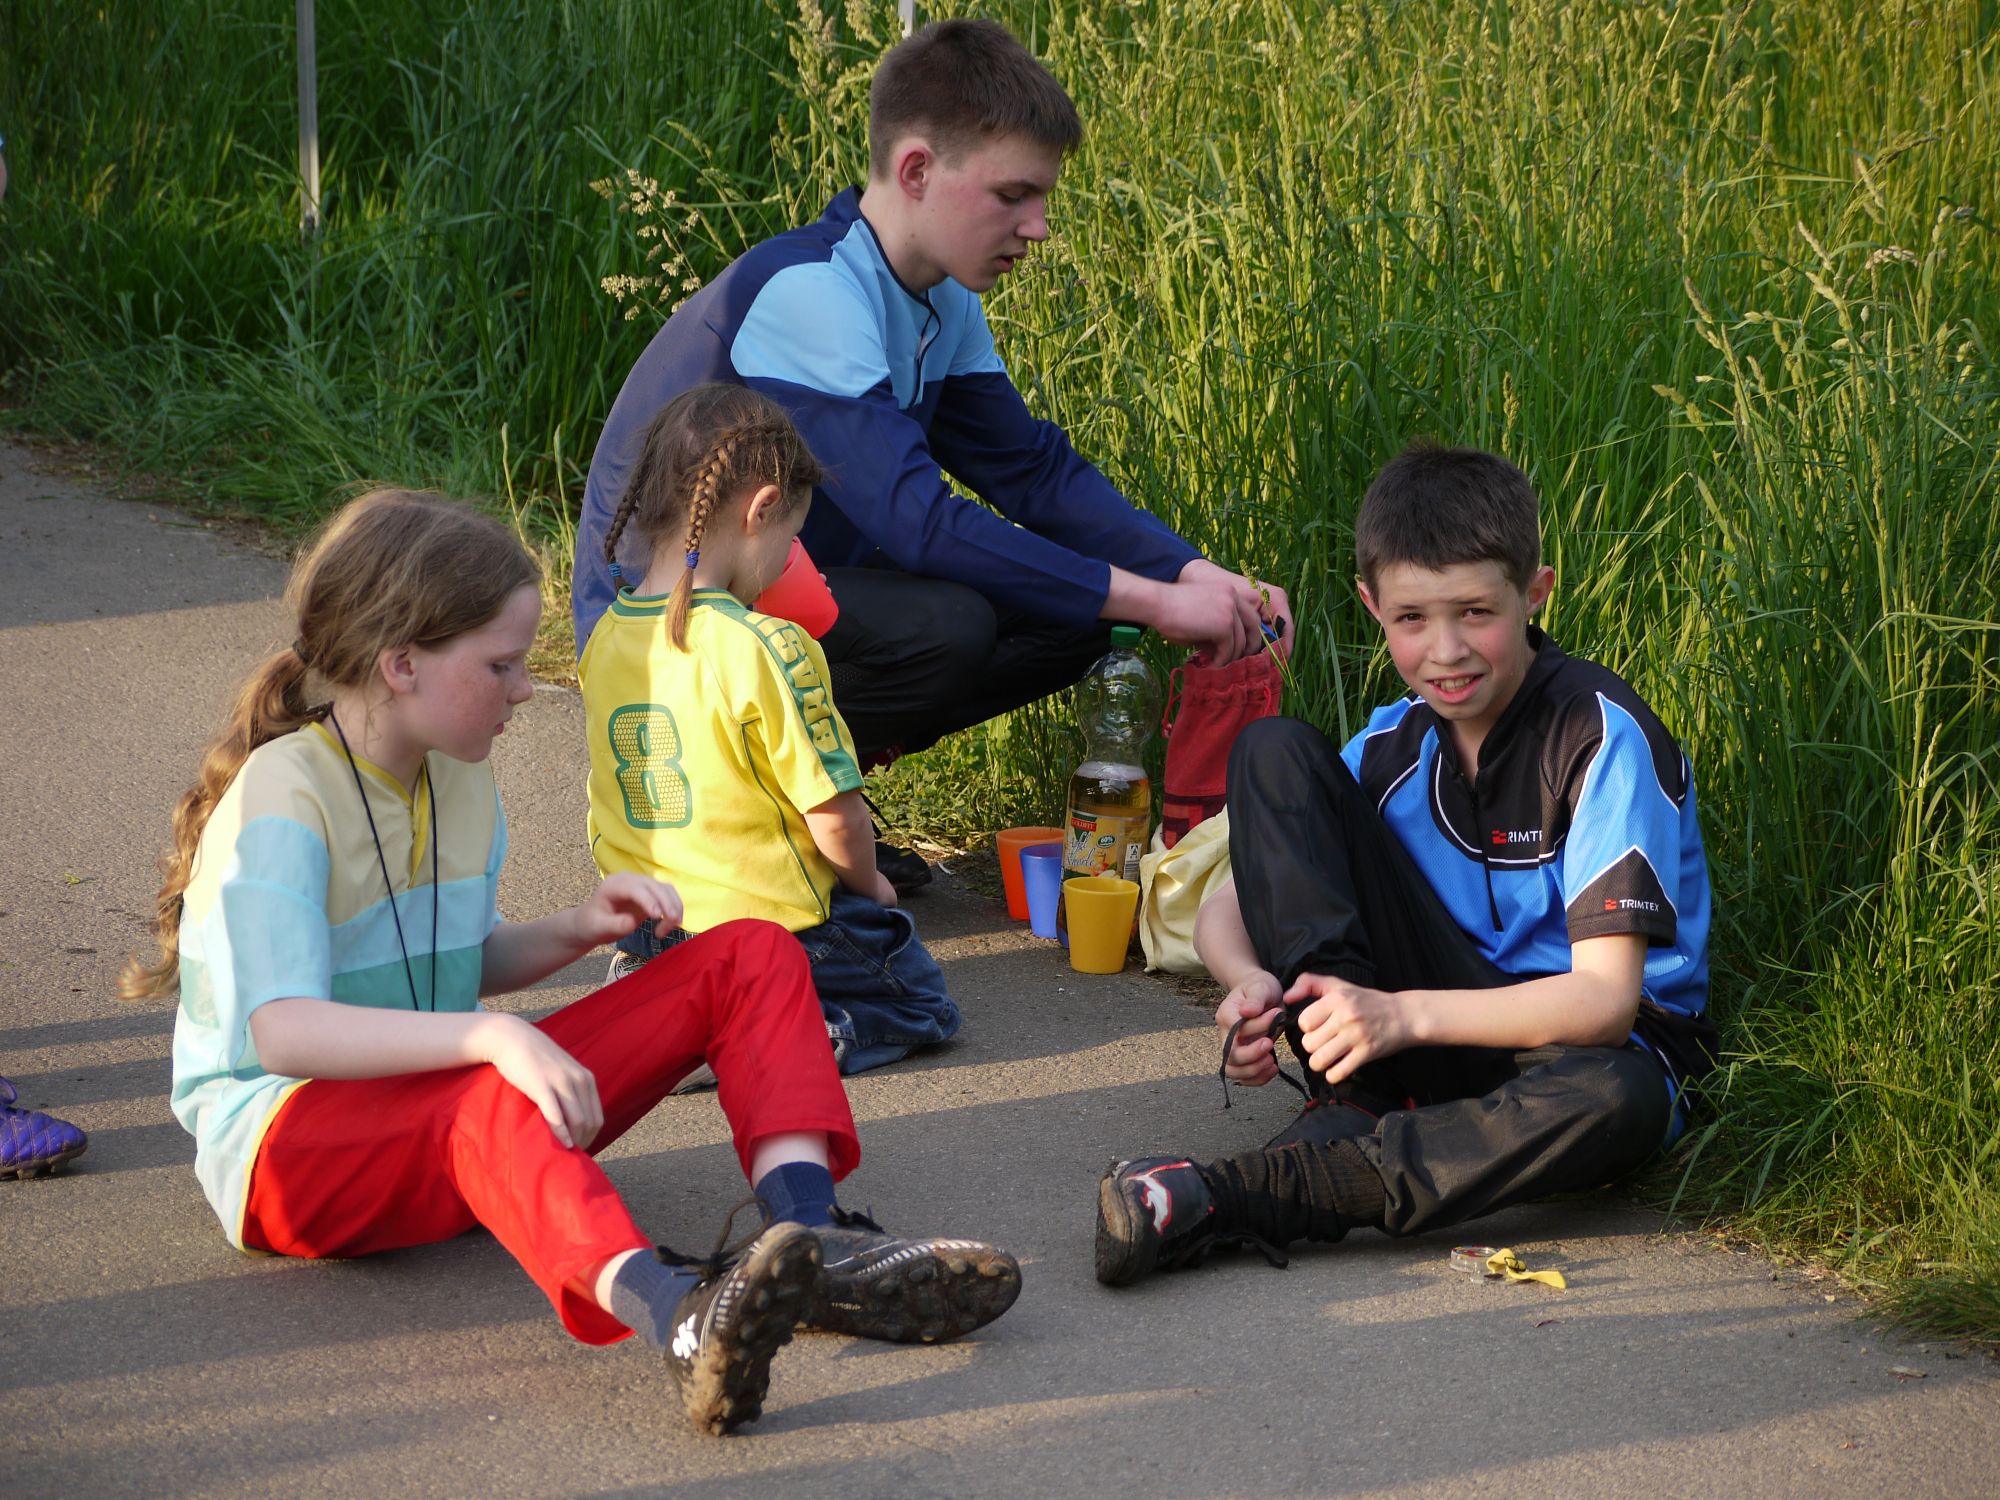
(1483, 925)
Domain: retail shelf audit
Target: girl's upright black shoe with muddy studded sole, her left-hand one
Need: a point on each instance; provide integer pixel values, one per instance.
(729, 1329)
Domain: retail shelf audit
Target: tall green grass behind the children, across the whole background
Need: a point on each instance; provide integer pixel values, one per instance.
(1723, 277)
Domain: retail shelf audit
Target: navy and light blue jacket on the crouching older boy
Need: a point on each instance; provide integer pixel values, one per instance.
(889, 387)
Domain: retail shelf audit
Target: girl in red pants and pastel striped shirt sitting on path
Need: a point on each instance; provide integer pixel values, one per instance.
(329, 923)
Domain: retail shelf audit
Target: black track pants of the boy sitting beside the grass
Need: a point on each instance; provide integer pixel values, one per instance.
(1327, 889)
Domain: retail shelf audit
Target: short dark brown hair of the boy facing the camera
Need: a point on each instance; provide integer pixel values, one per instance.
(1437, 507)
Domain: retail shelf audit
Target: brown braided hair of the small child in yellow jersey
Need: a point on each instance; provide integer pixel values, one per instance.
(701, 449)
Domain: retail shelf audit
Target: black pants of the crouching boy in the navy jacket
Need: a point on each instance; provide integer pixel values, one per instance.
(915, 659)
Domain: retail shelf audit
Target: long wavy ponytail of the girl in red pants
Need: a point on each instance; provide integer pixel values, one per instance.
(271, 703)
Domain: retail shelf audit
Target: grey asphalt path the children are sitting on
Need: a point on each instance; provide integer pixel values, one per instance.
(141, 1355)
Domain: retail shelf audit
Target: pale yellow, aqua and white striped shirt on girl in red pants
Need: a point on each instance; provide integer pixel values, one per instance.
(287, 901)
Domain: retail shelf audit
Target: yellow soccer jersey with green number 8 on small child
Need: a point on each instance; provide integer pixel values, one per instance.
(705, 761)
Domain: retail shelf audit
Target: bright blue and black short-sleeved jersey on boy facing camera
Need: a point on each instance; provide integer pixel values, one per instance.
(1579, 825)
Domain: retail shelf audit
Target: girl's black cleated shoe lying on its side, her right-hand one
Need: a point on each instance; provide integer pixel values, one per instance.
(875, 1285)
